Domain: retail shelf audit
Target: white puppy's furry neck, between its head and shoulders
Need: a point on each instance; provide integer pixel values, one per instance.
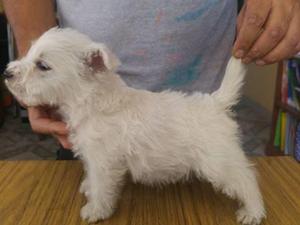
(104, 95)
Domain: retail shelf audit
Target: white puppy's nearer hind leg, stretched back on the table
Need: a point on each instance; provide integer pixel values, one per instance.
(235, 177)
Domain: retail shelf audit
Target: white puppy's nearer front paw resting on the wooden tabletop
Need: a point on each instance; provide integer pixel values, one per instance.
(92, 213)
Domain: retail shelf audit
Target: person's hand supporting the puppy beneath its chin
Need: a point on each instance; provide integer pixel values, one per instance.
(43, 120)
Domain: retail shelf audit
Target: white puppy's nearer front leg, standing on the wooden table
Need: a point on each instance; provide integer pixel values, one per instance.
(104, 183)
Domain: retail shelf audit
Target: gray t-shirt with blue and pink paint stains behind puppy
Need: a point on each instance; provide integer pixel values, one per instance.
(180, 44)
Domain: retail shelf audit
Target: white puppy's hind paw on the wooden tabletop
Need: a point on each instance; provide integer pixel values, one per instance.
(247, 218)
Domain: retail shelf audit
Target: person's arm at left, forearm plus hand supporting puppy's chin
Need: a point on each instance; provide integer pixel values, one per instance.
(29, 19)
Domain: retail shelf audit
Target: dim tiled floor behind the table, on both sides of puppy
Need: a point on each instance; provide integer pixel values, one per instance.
(18, 142)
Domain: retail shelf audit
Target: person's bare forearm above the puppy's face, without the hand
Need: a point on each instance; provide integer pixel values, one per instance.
(29, 19)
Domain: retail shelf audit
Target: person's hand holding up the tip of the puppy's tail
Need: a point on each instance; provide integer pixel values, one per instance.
(268, 31)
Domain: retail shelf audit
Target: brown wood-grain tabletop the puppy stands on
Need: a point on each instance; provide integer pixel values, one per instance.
(46, 193)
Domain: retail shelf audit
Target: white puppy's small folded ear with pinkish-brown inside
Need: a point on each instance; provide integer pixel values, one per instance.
(100, 58)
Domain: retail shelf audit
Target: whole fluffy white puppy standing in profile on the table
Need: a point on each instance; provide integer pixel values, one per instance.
(156, 137)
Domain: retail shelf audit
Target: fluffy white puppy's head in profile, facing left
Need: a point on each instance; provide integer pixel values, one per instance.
(56, 66)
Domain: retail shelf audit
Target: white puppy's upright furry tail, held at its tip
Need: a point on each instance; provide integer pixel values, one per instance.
(230, 90)
